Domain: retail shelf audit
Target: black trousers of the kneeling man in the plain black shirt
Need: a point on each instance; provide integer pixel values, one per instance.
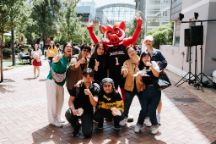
(86, 121)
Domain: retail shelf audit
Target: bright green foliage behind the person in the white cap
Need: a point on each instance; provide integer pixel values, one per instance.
(163, 35)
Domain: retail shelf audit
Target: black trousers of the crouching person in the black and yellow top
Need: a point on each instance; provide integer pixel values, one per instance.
(102, 113)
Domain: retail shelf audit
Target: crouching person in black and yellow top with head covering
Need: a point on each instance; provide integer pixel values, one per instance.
(110, 104)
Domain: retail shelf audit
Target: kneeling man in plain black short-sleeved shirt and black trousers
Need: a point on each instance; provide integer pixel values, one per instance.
(82, 100)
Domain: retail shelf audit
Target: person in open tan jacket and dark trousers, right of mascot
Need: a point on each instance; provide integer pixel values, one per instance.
(133, 83)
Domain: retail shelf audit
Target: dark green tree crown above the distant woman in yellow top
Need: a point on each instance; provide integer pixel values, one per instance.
(45, 18)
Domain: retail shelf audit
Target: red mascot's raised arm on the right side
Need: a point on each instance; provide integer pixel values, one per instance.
(133, 39)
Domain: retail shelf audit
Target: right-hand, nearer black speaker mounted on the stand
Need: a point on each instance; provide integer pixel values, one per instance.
(196, 35)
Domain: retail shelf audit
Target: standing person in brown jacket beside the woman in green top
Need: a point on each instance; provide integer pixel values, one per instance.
(78, 64)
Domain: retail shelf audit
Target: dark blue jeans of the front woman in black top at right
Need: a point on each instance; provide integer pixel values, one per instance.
(150, 100)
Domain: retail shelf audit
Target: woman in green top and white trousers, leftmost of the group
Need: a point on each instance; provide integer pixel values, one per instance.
(54, 84)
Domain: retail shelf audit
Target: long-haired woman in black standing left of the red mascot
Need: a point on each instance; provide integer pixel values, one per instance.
(98, 63)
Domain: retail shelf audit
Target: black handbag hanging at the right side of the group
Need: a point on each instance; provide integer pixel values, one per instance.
(163, 81)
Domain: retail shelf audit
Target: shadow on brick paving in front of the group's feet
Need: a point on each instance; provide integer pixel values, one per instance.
(51, 134)
